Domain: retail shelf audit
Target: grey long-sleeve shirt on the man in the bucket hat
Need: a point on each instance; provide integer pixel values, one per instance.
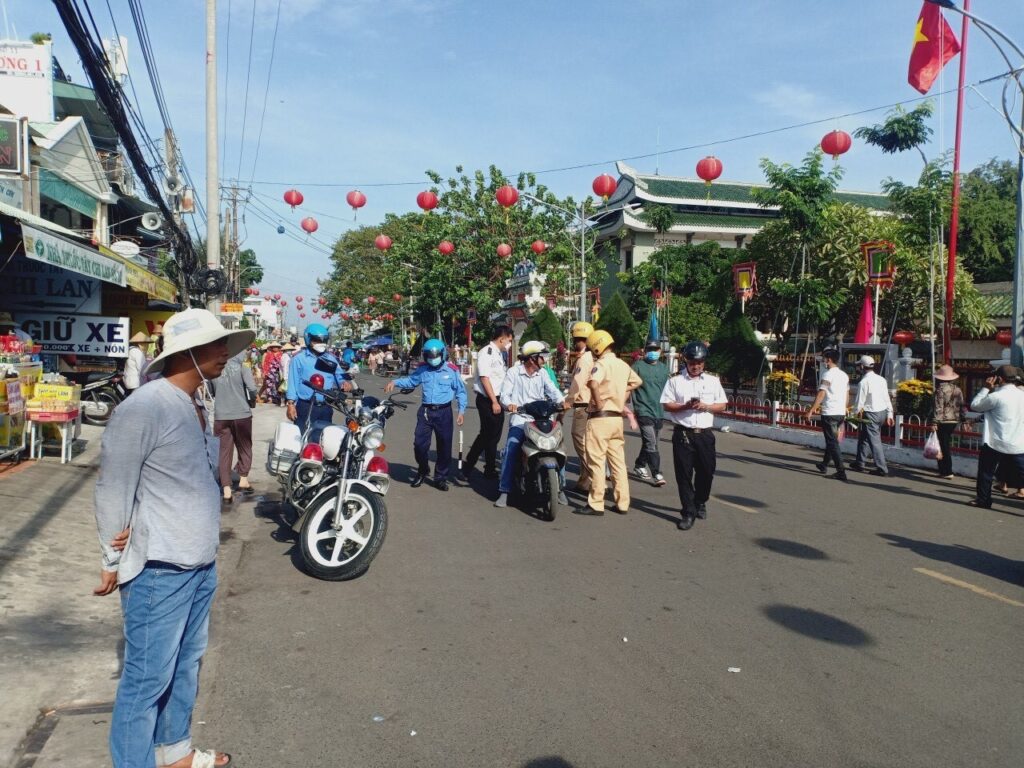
(157, 476)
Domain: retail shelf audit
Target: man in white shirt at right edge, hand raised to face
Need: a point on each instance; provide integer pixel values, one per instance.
(1003, 435)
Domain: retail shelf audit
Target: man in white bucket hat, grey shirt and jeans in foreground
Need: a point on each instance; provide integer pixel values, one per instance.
(158, 511)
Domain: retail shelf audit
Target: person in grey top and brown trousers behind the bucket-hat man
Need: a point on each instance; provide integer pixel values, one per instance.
(235, 397)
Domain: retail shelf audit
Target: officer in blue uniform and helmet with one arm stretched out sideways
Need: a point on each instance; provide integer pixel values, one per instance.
(441, 383)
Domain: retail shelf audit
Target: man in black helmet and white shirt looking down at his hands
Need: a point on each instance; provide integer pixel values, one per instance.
(691, 400)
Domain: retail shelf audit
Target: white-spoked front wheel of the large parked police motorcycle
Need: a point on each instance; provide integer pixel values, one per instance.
(347, 553)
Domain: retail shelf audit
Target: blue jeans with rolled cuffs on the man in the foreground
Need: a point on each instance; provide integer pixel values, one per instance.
(167, 618)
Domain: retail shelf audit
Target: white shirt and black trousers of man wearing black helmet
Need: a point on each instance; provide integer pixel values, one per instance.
(693, 439)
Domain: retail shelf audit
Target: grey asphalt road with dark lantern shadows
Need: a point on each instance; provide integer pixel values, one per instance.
(806, 623)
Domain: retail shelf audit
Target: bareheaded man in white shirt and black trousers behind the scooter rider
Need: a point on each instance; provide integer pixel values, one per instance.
(491, 370)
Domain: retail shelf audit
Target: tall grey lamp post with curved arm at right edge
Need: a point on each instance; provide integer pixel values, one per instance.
(1017, 324)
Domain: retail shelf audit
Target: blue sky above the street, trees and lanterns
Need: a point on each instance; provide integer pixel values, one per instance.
(366, 94)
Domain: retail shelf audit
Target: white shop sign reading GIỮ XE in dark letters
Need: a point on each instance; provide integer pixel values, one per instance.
(77, 334)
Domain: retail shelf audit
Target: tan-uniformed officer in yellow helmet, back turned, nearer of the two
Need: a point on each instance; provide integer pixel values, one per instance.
(611, 382)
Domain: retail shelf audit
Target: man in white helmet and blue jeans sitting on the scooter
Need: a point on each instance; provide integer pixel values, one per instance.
(526, 382)
